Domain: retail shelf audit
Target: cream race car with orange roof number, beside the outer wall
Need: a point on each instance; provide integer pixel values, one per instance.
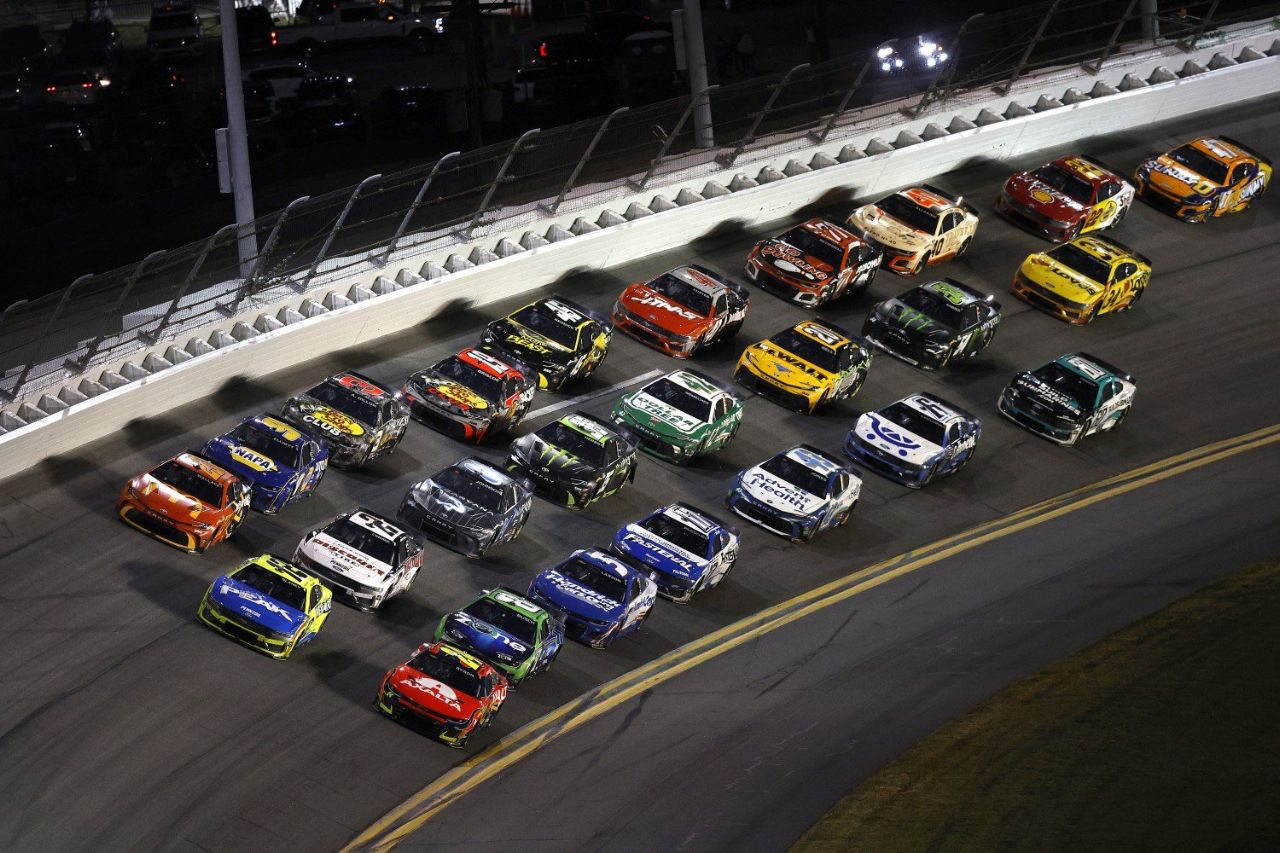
(917, 227)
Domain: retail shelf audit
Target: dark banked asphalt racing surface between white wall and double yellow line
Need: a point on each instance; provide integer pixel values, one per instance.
(125, 724)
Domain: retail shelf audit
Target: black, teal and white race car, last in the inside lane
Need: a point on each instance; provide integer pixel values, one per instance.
(1071, 398)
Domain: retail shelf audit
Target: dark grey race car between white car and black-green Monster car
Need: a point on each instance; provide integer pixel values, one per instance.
(470, 507)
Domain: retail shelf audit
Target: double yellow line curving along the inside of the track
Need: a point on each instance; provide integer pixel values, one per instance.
(422, 808)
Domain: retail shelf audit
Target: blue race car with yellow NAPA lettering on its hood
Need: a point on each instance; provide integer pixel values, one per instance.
(281, 464)
